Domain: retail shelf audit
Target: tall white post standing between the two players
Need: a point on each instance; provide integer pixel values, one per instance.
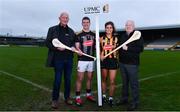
(98, 62)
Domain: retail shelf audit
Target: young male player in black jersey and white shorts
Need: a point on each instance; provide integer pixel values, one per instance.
(85, 43)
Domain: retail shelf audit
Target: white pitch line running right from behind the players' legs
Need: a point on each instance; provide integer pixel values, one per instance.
(143, 79)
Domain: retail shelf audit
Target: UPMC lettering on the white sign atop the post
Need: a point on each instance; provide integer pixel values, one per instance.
(91, 10)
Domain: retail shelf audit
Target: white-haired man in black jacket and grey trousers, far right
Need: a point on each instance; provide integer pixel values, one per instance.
(129, 56)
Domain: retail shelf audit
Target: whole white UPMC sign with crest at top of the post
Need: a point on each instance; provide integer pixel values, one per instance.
(96, 9)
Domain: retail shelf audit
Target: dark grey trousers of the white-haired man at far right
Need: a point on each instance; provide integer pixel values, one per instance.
(129, 74)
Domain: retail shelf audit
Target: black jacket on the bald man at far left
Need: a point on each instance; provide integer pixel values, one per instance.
(66, 36)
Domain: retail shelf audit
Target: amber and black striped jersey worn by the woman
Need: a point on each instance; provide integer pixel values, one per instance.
(109, 44)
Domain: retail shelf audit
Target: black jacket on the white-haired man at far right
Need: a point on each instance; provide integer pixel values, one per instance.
(132, 55)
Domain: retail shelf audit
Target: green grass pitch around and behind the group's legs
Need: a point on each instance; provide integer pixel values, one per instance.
(159, 81)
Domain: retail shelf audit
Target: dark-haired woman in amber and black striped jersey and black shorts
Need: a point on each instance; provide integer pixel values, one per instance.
(109, 65)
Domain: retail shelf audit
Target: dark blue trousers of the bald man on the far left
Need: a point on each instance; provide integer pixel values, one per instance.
(60, 67)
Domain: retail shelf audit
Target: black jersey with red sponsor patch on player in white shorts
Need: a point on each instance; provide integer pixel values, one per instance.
(87, 44)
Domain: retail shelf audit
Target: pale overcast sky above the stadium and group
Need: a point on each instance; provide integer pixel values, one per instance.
(34, 17)
